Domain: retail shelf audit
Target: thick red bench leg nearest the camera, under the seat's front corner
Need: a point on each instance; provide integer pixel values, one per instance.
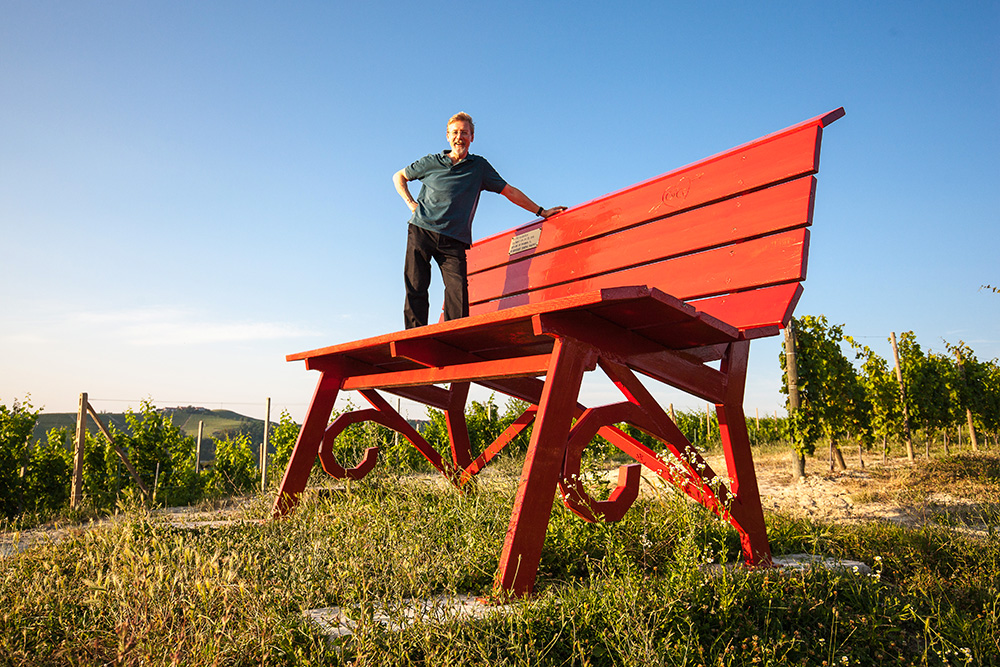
(522, 549)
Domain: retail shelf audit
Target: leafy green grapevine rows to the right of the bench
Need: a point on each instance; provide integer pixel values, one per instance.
(930, 395)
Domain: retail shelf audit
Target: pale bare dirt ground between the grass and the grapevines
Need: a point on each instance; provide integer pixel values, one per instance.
(877, 492)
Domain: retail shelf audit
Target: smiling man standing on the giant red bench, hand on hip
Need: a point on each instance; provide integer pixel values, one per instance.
(441, 224)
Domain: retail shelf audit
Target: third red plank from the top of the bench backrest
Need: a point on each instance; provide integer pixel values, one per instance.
(774, 259)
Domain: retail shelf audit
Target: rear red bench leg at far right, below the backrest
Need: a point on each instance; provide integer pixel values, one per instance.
(739, 461)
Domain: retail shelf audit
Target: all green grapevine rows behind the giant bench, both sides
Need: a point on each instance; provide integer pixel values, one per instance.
(860, 405)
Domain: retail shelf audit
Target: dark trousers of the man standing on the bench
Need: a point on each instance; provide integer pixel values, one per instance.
(422, 245)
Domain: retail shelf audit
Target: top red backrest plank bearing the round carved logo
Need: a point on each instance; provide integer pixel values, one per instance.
(726, 175)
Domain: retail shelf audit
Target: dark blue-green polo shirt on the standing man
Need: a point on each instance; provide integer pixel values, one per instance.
(449, 193)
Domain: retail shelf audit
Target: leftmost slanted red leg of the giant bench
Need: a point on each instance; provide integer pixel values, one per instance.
(307, 446)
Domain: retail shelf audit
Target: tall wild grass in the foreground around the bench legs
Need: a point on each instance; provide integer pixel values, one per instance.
(648, 590)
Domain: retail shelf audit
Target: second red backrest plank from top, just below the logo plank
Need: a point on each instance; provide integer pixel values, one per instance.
(776, 209)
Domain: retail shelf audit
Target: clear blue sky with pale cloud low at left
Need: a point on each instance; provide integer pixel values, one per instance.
(189, 191)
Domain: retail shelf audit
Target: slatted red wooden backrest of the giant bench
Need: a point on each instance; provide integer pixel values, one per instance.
(728, 234)
